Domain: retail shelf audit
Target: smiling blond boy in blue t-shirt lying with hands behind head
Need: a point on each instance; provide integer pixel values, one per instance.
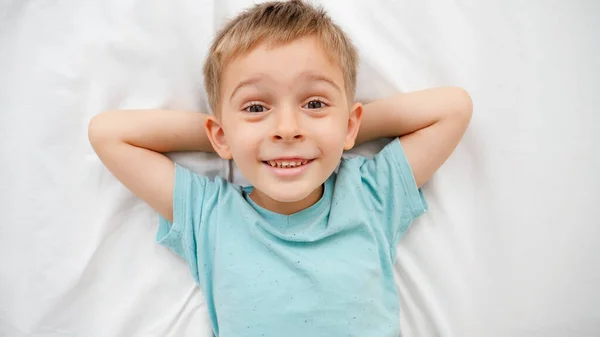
(305, 250)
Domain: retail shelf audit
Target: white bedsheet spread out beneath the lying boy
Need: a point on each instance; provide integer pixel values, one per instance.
(509, 248)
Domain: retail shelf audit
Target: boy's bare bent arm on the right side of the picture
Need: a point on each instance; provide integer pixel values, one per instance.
(430, 123)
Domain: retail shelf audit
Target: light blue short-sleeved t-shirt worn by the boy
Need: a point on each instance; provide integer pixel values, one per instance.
(324, 271)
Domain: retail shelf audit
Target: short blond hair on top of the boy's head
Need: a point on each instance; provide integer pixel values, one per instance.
(277, 23)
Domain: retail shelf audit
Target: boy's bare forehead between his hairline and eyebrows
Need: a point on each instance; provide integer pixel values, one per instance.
(282, 64)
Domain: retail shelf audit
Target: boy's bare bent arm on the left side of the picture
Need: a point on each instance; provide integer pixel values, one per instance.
(130, 144)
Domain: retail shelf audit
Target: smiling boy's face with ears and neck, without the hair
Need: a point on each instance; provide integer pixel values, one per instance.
(285, 119)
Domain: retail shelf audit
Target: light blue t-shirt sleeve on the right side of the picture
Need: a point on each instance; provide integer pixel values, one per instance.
(391, 190)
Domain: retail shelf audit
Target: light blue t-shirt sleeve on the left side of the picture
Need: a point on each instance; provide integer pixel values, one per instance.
(185, 234)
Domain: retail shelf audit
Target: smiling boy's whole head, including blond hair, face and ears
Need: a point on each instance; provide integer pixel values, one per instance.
(280, 79)
